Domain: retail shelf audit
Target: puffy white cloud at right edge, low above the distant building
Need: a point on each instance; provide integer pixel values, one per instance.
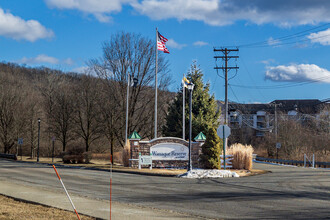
(298, 73)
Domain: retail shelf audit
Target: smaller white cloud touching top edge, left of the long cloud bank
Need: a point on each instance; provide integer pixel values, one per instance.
(99, 8)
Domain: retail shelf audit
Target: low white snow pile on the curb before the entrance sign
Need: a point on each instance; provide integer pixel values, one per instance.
(200, 173)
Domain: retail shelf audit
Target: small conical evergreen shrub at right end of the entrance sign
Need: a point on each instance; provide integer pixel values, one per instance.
(211, 150)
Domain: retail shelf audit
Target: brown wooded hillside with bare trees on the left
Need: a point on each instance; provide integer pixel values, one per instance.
(78, 110)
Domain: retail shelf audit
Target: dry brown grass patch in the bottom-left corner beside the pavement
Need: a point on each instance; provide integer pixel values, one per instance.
(11, 209)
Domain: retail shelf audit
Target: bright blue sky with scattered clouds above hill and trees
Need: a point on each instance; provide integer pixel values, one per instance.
(290, 59)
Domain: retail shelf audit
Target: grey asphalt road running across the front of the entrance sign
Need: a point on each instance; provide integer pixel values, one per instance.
(286, 193)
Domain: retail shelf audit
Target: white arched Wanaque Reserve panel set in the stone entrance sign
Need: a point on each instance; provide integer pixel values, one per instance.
(169, 151)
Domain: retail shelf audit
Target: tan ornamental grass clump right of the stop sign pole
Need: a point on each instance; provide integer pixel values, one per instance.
(242, 156)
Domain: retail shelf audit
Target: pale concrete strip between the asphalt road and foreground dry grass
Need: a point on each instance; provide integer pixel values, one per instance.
(96, 208)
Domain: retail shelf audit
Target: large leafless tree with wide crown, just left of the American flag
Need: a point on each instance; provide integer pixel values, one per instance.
(130, 55)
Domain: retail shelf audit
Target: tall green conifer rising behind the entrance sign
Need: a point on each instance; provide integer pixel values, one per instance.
(205, 113)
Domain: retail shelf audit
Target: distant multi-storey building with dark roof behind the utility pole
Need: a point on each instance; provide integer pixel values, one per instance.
(262, 117)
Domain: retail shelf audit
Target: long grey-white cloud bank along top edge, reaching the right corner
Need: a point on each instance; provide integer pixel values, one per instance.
(224, 12)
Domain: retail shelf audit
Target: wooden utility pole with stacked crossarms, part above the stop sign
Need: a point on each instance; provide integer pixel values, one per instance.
(226, 58)
